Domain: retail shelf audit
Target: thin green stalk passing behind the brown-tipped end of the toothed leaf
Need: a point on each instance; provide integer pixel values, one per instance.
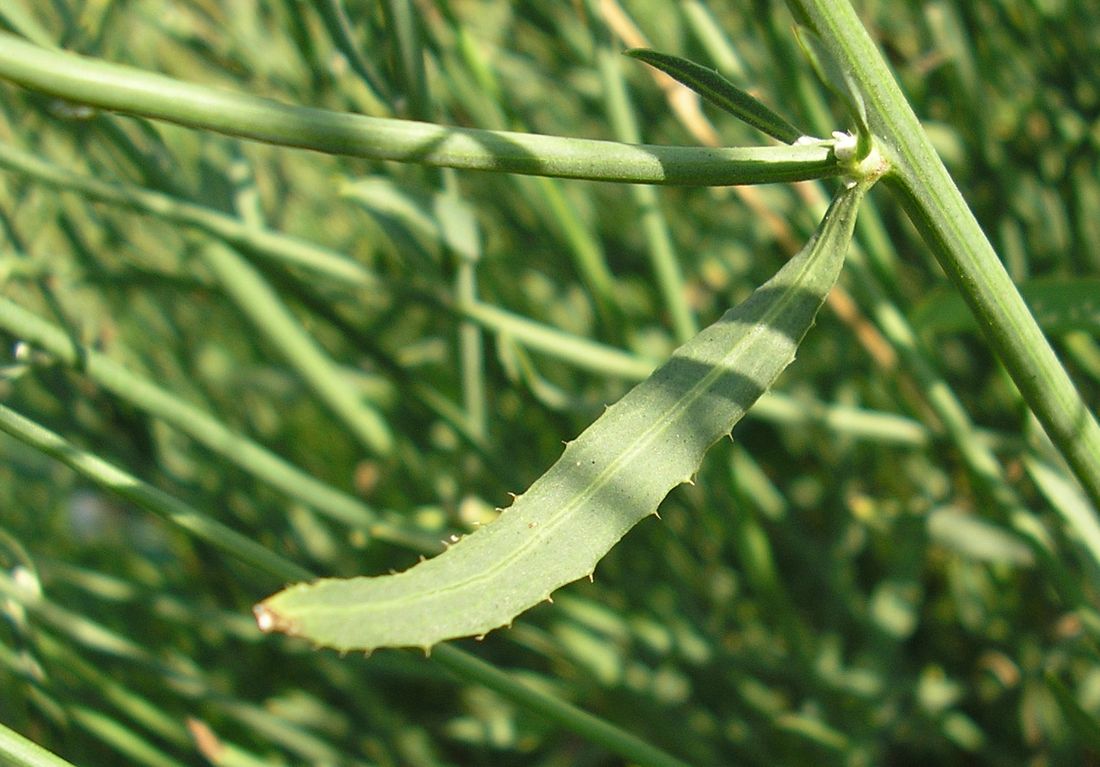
(238, 546)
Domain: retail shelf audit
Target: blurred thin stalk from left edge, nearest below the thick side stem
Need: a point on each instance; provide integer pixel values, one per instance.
(266, 243)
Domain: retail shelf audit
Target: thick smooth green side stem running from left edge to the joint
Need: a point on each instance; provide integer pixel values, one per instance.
(127, 90)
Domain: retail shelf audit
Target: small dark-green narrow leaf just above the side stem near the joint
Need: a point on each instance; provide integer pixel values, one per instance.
(720, 92)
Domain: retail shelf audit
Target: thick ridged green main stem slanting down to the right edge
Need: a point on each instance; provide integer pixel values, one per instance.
(941, 214)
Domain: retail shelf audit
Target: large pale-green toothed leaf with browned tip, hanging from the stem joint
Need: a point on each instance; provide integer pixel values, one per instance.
(611, 478)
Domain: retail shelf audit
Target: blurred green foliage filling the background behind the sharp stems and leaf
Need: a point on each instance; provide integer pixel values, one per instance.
(832, 590)
